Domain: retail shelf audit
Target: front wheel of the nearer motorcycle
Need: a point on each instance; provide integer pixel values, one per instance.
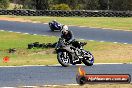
(63, 59)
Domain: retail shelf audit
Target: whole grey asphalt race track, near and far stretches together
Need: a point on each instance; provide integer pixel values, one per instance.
(44, 75)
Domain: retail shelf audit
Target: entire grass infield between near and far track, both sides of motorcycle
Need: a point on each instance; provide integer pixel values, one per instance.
(105, 52)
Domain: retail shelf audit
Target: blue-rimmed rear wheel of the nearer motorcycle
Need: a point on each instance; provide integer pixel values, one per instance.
(88, 58)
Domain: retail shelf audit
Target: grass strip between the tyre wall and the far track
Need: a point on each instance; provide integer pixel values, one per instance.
(99, 22)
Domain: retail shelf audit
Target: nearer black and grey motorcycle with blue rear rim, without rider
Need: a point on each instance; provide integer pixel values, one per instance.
(65, 52)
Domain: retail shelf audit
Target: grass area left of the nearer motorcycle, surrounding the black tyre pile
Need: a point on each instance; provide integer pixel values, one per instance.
(23, 56)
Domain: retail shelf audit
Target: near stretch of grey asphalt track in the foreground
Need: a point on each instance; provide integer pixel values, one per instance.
(49, 75)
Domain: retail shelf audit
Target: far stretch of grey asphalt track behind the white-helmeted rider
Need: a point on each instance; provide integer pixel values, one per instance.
(79, 32)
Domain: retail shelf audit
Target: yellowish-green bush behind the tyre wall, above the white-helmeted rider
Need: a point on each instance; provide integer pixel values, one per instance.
(60, 7)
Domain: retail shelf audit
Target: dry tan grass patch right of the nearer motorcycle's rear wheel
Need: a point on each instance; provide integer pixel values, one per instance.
(117, 53)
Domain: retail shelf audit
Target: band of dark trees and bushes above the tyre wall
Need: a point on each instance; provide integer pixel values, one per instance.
(120, 5)
